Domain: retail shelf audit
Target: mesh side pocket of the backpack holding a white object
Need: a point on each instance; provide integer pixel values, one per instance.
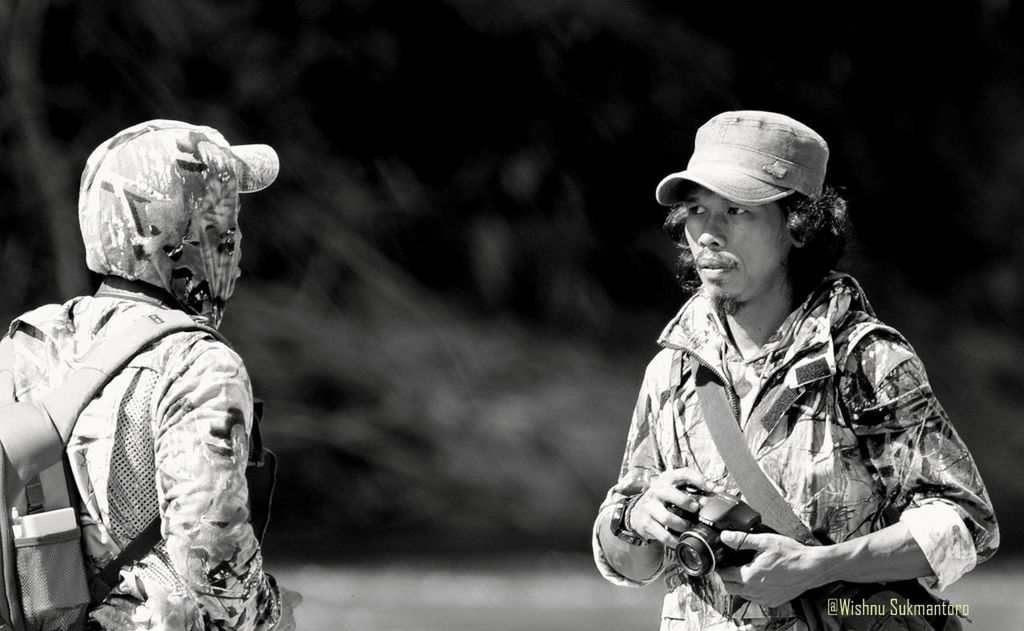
(52, 573)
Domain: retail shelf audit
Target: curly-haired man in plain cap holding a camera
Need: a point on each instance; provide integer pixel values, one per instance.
(866, 457)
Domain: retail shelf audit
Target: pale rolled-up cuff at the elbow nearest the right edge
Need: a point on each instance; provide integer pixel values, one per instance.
(948, 545)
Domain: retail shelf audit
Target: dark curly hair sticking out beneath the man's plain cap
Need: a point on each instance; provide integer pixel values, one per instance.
(821, 225)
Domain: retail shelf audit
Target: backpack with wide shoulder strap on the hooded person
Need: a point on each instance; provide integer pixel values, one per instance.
(44, 583)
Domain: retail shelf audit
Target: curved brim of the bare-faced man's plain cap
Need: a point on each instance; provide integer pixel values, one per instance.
(737, 187)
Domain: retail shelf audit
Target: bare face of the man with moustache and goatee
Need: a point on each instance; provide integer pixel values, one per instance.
(740, 251)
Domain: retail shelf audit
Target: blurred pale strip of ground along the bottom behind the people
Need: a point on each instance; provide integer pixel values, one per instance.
(554, 593)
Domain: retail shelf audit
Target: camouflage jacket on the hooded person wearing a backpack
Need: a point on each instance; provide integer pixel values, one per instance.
(190, 401)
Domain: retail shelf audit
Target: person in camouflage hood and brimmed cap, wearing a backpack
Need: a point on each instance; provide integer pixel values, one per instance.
(168, 436)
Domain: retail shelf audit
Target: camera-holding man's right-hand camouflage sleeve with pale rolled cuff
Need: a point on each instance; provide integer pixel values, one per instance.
(926, 470)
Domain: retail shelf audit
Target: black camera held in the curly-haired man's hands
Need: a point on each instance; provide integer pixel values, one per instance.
(701, 550)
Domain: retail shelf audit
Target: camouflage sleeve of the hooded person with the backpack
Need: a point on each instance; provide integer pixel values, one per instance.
(201, 445)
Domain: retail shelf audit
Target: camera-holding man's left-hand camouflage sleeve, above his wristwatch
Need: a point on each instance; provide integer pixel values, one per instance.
(641, 464)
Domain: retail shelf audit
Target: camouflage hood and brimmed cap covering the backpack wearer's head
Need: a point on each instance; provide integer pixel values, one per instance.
(159, 203)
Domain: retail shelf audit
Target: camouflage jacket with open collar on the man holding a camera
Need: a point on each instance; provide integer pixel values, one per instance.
(866, 440)
